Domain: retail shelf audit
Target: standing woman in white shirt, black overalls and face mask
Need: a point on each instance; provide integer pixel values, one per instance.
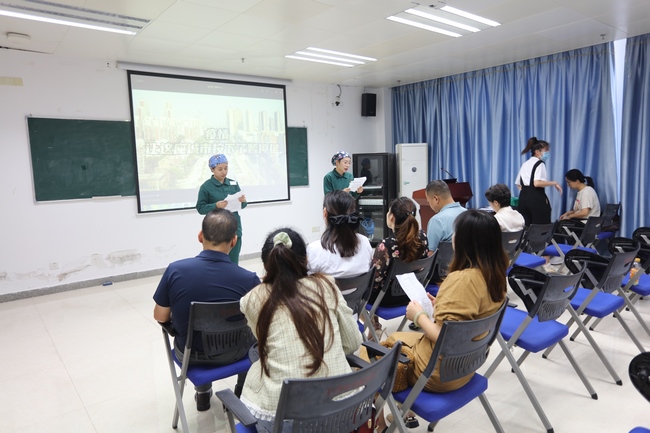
(531, 180)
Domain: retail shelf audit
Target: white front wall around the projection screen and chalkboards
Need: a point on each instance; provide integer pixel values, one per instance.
(52, 243)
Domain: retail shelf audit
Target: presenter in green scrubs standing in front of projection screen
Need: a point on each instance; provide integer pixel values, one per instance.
(213, 193)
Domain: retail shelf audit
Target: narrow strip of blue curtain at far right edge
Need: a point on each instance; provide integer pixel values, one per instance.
(635, 136)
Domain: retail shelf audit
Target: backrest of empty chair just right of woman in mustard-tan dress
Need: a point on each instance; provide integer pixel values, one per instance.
(544, 295)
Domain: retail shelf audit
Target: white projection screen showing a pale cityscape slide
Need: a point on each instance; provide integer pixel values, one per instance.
(179, 122)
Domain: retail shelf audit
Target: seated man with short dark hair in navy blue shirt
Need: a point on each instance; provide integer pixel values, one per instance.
(208, 277)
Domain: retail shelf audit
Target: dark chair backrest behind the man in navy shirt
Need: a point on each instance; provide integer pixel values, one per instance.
(221, 326)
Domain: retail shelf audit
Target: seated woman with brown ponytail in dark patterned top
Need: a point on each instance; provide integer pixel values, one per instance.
(407, 243)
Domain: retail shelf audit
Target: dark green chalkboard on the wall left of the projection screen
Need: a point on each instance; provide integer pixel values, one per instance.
(81, 158)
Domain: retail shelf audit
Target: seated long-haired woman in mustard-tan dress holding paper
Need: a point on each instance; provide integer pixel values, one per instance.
(475, 288)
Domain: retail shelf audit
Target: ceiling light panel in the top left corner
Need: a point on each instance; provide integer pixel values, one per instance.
(46, 11)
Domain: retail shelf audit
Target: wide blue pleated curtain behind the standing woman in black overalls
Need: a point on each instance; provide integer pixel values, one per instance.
(477, 123)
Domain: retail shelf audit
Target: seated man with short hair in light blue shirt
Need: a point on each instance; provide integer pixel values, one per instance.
(441, 225)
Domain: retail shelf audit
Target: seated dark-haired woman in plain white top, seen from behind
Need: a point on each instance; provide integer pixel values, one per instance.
(340, 252)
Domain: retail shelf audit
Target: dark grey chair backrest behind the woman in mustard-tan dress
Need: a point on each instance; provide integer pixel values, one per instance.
(462, 346)
